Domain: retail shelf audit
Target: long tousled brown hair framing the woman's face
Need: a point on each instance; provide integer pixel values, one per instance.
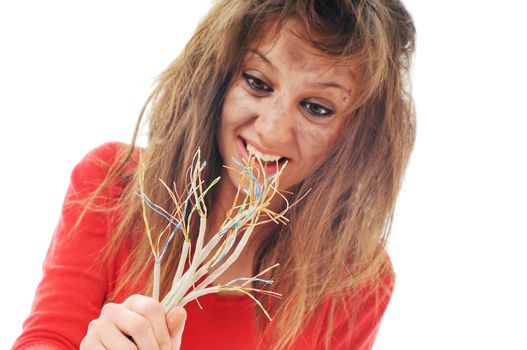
(347, 215)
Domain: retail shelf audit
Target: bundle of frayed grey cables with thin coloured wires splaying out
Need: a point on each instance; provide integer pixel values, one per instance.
(250, 205)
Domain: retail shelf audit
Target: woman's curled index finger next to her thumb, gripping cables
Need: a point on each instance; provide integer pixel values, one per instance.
(154, 312)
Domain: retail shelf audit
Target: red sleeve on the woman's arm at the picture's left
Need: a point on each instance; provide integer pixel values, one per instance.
(74, 284)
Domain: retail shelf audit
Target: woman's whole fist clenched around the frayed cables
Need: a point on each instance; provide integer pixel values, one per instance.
(138, 323)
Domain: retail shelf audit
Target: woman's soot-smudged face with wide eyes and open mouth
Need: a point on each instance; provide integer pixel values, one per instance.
(288, 103)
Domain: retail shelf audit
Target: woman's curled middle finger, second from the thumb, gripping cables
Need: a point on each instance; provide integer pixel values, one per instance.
(132, 324)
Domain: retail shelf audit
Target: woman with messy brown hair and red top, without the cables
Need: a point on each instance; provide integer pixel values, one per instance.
(319, 84)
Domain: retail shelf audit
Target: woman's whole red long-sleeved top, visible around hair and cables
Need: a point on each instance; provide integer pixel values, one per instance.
(74, 286)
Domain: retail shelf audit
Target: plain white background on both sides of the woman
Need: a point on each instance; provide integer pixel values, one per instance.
(75, 74)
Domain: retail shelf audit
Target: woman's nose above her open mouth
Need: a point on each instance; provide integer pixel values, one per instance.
(275, 123)
